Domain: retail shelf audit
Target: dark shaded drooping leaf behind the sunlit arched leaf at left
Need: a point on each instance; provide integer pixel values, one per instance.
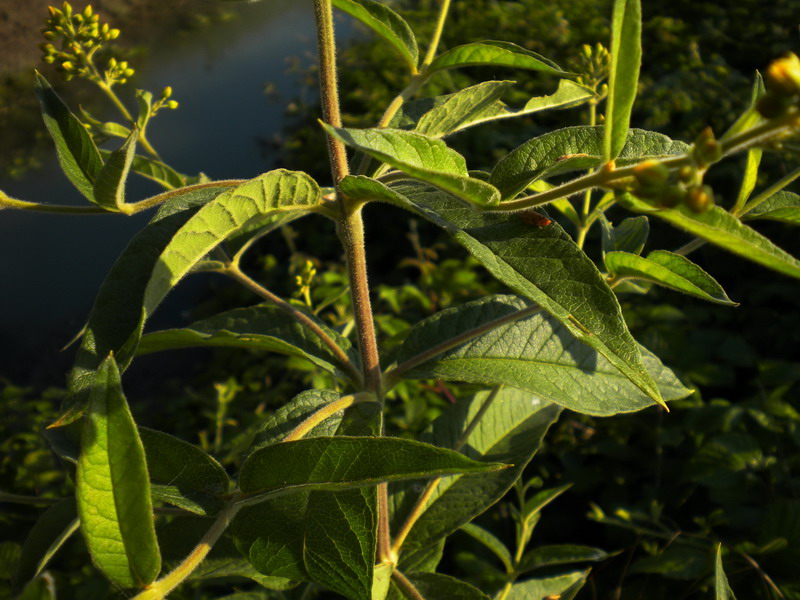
(116, 320)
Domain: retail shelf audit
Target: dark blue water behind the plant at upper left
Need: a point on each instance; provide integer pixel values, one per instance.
(52, 265)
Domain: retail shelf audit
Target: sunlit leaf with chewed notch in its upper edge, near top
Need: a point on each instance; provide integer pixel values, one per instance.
(444, 115)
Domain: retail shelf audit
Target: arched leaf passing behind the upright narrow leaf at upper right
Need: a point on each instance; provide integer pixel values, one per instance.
(574, 149)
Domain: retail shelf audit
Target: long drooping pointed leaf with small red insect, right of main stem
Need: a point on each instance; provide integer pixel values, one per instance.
(542, 263)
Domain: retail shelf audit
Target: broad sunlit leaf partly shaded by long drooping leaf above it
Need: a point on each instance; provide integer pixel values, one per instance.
(533, 352)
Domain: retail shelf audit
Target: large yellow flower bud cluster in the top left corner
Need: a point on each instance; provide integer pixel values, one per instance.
(72, 38)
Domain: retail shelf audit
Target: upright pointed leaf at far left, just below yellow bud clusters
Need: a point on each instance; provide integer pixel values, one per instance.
(77, 153)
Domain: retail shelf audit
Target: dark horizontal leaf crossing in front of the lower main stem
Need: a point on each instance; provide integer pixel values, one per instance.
(340, 462)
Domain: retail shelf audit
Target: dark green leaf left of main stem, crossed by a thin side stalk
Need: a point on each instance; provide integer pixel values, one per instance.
(261, 327)
